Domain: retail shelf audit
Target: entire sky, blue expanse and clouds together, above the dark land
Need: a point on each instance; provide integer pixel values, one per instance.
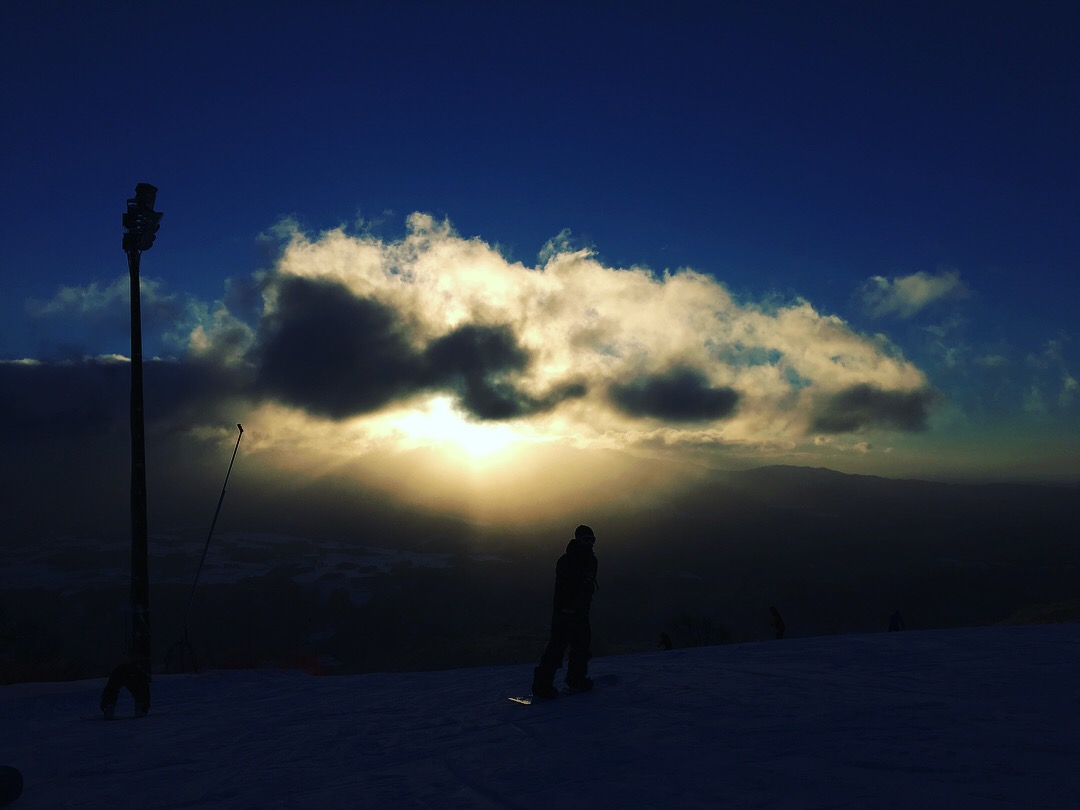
(898, 178)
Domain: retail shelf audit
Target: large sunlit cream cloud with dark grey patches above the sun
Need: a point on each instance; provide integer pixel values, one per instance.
(354, 326)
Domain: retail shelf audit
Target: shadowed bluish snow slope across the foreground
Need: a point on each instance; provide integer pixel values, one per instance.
(960, 719)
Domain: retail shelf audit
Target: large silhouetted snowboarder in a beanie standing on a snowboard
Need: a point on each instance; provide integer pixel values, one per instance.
(575, 584)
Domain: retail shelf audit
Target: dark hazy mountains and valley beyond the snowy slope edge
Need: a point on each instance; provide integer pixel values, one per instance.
(836, 553)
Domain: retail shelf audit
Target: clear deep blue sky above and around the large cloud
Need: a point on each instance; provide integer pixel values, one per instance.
(789, 148)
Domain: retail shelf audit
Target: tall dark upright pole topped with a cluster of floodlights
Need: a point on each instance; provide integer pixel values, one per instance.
(141, 223)
